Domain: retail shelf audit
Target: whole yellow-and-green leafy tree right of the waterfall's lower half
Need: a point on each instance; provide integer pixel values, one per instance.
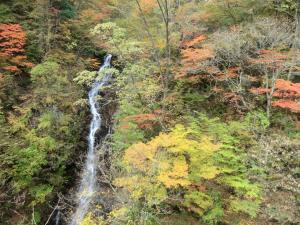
(187, 166)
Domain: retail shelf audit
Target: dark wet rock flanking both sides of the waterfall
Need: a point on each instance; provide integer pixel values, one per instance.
(104, 196)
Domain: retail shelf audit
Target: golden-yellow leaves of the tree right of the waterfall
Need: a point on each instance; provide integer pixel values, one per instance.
(170, 160)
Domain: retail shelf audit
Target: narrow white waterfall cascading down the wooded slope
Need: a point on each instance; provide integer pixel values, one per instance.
(88, 180)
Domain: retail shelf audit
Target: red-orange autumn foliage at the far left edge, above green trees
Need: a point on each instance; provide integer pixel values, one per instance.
(12, 43)
